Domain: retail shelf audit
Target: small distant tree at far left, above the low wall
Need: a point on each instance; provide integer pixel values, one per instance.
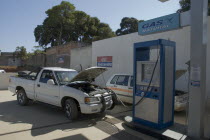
(20, 52)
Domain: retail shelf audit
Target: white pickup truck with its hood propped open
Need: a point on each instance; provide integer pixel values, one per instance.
(64, 88)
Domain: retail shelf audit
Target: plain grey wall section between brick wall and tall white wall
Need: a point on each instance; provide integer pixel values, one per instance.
(81, 58)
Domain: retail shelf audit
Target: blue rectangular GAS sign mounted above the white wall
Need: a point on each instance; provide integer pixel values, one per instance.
(160, 24)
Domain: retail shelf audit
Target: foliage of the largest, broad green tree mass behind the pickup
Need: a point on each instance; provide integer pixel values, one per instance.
(64, 24)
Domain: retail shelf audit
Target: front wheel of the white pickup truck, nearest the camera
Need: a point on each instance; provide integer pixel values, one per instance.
(71, 109)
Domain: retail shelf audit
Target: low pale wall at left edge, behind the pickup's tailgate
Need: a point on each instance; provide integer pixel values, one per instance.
(4, 80)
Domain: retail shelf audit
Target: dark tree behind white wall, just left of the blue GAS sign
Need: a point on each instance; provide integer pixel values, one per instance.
(127, 26)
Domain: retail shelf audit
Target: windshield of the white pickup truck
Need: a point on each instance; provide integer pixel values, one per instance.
(64, 77)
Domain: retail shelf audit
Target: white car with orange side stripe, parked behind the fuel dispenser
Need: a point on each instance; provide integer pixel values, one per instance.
(122, 85)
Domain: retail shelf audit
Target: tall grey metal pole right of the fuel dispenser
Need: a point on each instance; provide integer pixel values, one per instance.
(198, 68)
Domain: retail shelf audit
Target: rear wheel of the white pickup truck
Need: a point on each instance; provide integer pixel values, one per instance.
(22, 98)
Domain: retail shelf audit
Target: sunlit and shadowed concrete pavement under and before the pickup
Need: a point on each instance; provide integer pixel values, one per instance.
(40, 121)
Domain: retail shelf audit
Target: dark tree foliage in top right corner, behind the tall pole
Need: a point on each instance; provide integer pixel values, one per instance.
(185, 6)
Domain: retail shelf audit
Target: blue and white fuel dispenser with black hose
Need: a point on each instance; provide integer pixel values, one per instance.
(154, 83)
